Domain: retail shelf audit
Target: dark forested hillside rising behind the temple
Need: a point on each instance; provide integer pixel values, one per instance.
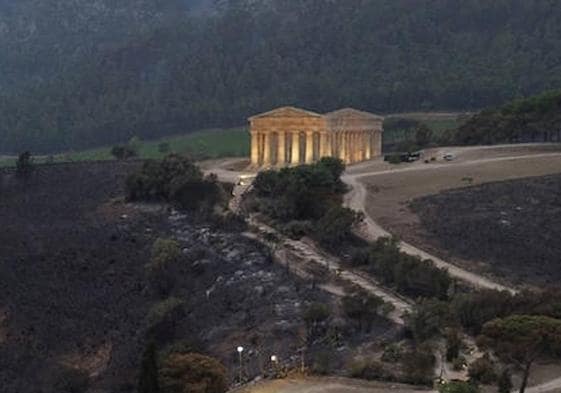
(151, 68)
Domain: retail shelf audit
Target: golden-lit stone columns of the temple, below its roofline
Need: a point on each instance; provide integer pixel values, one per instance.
(297, 147)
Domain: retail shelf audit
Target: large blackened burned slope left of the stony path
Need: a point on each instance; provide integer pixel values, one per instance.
(74, 296)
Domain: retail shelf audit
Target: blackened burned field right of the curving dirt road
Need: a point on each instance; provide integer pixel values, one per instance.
(512, 226)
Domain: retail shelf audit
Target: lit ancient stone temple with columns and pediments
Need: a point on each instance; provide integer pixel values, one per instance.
(293, 136)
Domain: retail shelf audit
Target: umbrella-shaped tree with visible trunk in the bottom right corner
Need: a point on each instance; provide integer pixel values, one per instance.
(521, 339)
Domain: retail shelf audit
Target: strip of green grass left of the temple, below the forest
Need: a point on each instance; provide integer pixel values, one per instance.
(204, 144)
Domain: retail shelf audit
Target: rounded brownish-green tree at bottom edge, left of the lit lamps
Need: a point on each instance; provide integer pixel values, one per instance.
(192, 373)
